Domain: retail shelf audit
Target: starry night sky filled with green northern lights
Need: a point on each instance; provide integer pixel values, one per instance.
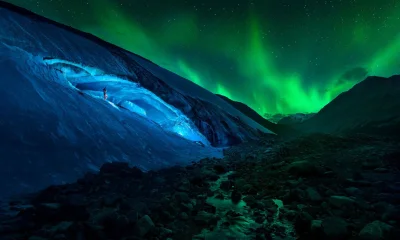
(277, 56)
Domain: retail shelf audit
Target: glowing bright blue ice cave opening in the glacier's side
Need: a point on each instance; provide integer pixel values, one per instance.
(127, 95)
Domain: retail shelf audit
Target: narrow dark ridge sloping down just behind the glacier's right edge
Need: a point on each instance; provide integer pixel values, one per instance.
(281, 130)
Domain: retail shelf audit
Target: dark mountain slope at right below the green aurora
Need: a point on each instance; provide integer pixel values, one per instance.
(371, 106)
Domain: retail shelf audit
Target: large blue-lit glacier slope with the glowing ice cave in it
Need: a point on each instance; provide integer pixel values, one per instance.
(55, 125)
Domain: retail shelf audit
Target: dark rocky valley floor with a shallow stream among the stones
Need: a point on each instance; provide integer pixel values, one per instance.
(314, 187)
